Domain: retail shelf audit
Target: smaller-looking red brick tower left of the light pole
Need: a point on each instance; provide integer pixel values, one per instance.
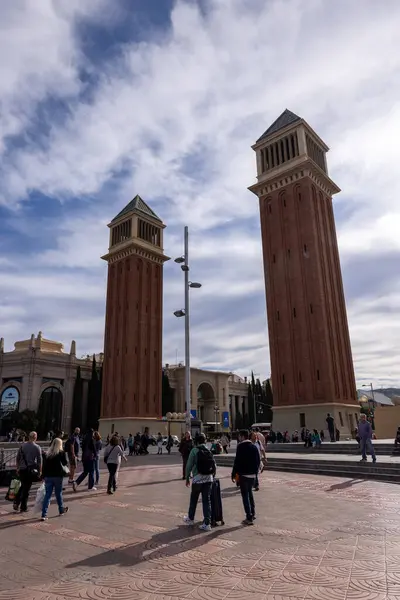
(131, 394)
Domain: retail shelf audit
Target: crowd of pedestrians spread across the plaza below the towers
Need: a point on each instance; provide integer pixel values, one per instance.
(198, 464)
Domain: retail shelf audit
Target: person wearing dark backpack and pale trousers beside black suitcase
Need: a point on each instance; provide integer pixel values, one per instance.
(201, 464)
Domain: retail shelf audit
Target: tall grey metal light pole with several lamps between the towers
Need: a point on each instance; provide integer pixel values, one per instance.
(184, 262)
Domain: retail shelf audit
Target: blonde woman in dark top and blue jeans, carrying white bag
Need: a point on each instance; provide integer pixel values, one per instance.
(55, 468)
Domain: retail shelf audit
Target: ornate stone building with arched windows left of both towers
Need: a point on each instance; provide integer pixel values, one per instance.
(38, 375)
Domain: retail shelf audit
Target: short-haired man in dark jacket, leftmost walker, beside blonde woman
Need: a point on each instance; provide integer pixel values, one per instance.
(29, 469)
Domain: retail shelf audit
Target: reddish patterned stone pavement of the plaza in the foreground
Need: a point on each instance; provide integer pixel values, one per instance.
(315, 537)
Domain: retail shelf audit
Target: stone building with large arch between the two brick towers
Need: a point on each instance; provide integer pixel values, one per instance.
(217, 397)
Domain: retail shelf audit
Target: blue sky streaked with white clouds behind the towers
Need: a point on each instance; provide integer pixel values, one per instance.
(102, 100)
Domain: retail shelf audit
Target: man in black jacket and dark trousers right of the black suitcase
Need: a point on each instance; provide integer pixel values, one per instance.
(246, 466)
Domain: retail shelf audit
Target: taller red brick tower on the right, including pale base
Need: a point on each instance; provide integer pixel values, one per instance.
(311, 361)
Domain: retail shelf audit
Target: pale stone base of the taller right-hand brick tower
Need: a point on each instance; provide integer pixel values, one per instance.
(289, 418)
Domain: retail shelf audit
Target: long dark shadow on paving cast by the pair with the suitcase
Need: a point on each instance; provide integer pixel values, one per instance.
(162, 545)
